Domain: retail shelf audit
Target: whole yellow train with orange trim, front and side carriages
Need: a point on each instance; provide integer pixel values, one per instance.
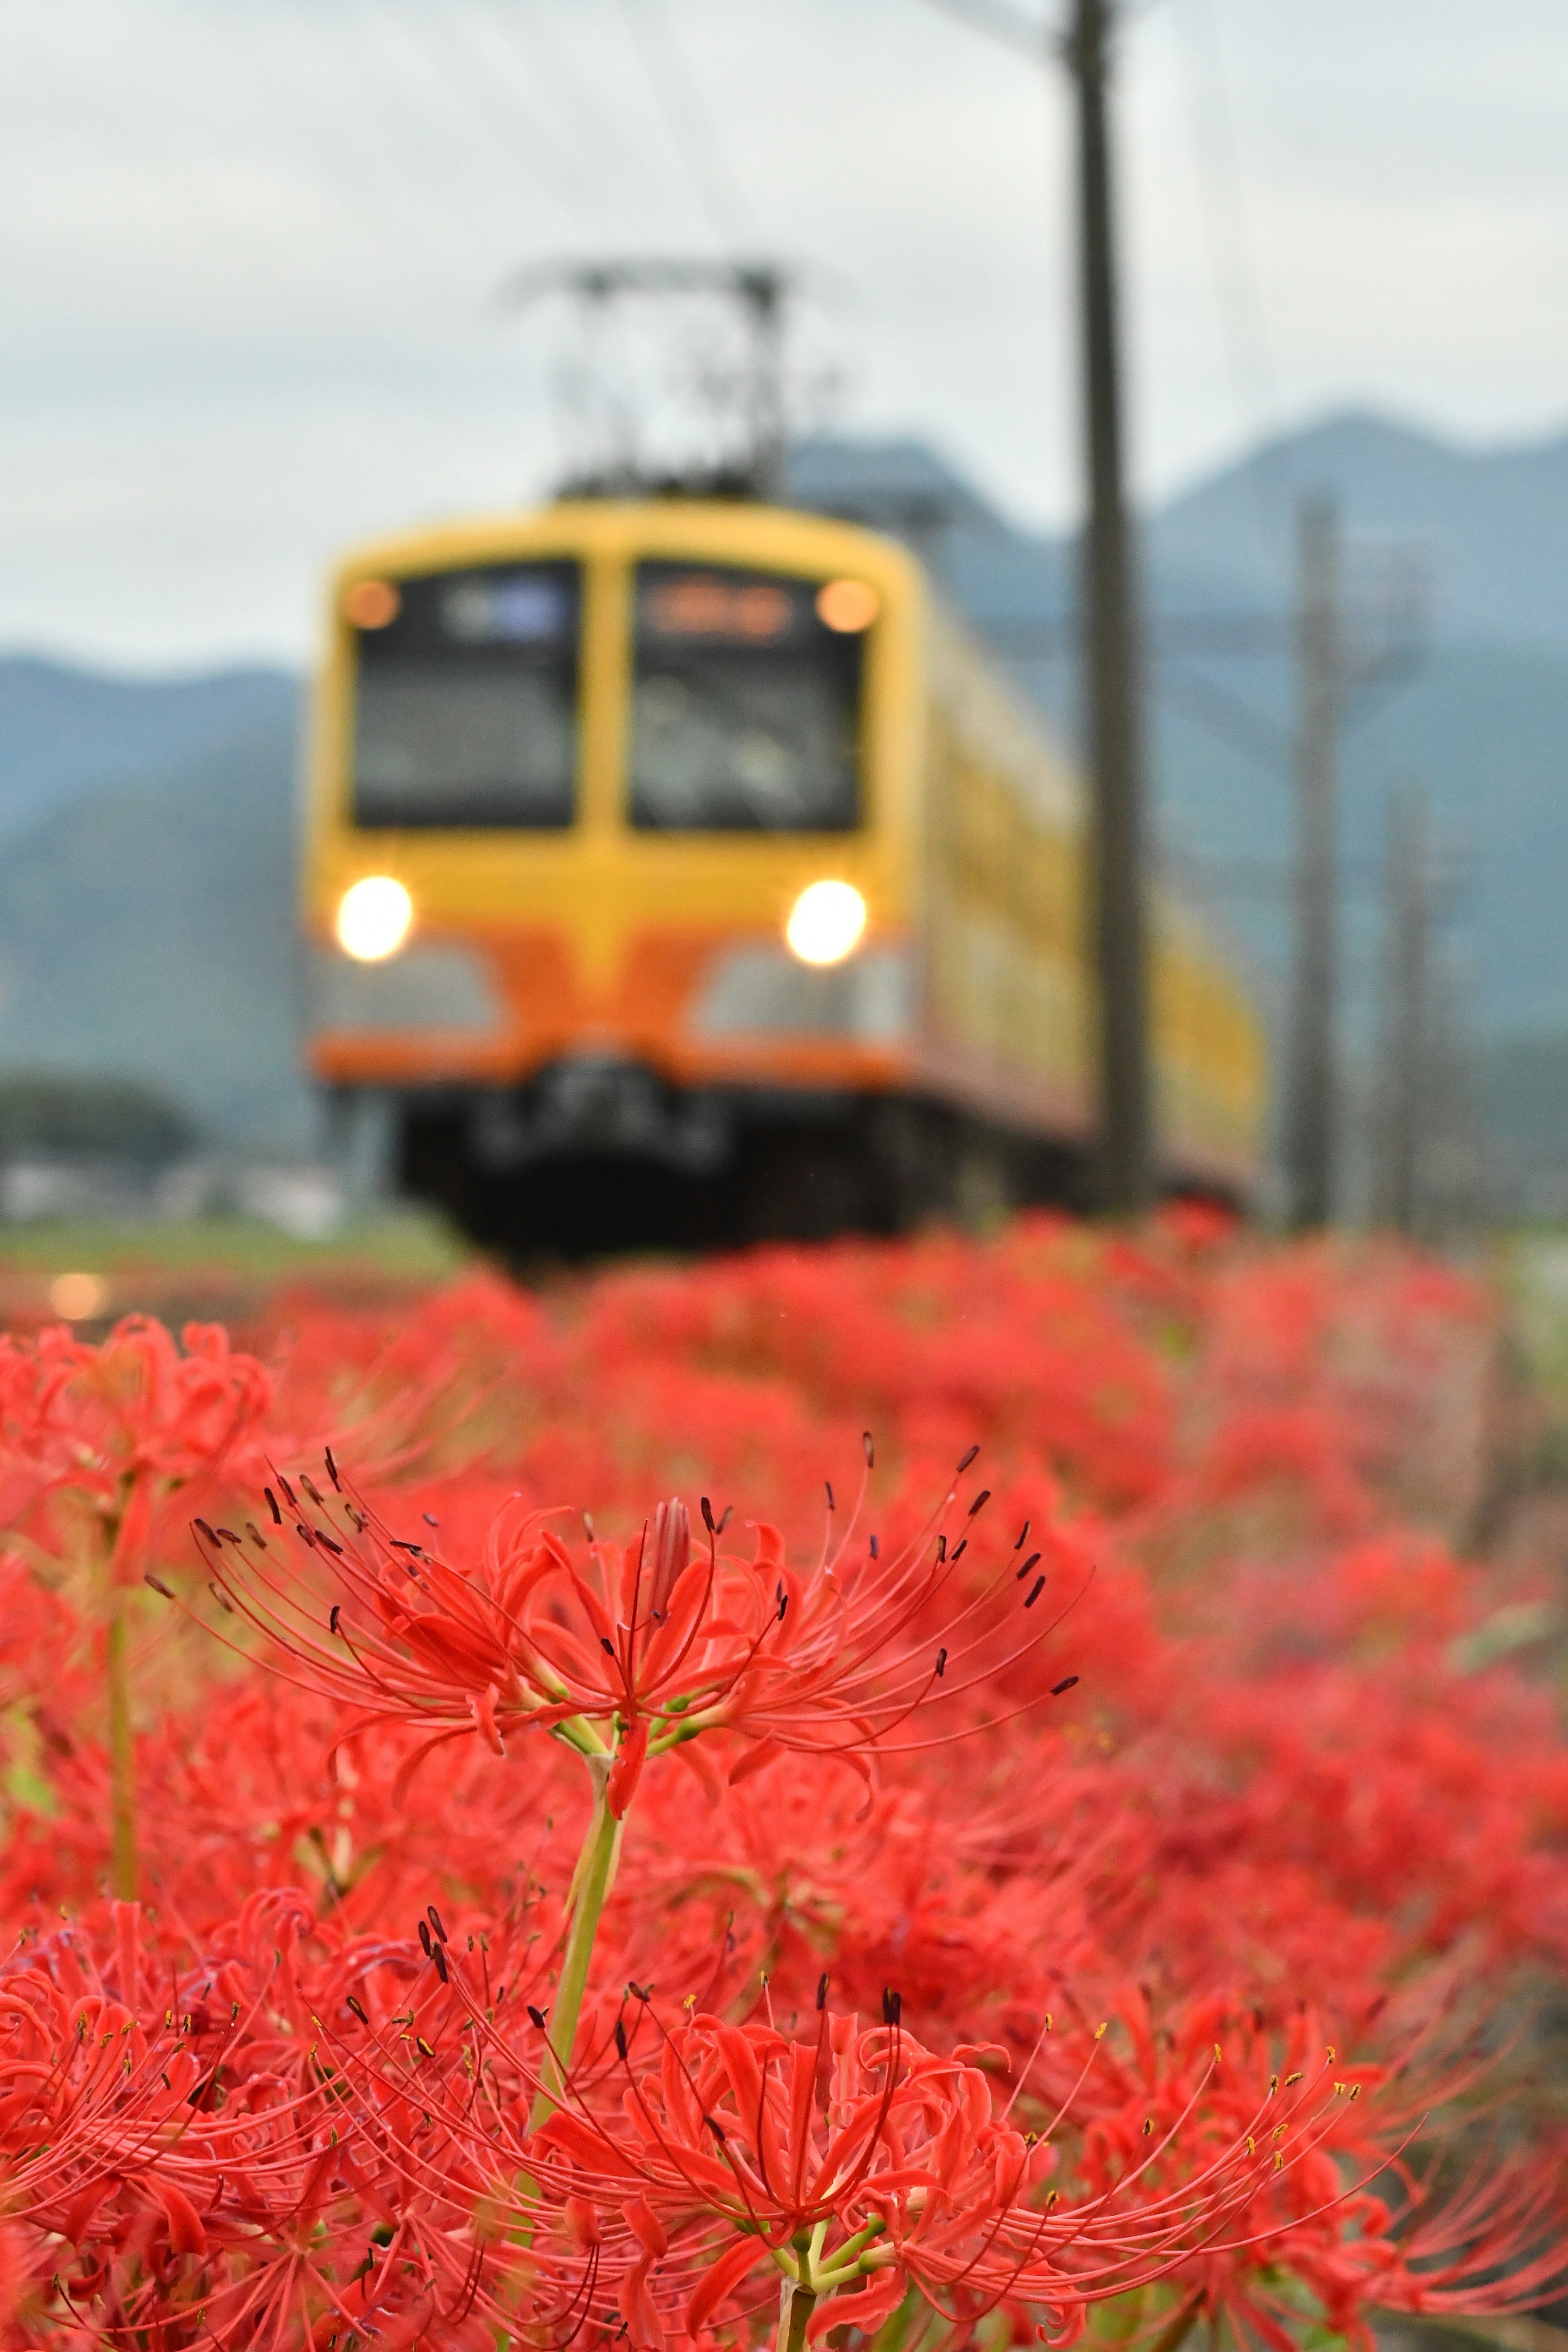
(681, 874)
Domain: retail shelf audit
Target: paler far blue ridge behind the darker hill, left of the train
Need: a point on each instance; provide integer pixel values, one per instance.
(65, 730)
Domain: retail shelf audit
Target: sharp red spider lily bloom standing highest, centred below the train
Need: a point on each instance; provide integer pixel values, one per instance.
(650, 1643)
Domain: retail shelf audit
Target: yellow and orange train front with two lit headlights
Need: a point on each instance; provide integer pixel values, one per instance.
(610, 869)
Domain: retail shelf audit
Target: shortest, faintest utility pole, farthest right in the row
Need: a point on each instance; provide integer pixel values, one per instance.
(1405, 1107)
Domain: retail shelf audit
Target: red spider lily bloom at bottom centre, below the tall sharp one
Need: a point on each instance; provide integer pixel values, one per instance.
(855, 2165)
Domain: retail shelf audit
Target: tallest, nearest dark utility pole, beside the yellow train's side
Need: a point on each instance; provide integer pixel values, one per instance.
(1111, 660)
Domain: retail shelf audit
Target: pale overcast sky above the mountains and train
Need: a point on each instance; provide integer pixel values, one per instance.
(250, 253)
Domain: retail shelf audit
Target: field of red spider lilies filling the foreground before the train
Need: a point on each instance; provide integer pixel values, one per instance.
(897, 1796)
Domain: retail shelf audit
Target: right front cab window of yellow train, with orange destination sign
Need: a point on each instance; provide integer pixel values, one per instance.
(746, 702)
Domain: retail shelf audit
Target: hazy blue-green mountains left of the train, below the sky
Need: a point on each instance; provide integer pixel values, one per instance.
(147, 890)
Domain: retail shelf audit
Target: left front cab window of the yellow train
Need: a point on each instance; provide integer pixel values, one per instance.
(467, 690)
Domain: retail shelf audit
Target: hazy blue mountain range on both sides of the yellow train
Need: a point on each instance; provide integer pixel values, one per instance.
(147, 827)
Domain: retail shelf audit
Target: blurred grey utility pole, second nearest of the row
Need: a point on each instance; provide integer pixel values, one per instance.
(1320, 657)
